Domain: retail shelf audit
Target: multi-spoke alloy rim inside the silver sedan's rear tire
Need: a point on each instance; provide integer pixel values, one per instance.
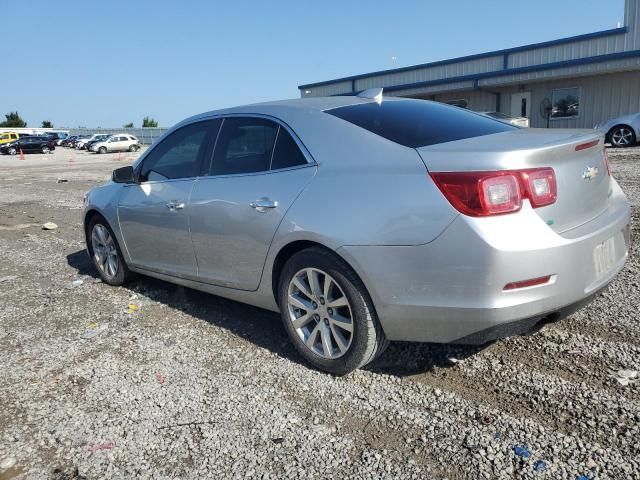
(320, 313)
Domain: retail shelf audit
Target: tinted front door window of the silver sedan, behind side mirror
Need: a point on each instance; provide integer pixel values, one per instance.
(177, 156)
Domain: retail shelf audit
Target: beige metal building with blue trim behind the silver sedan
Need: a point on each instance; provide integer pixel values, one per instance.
(573, 82)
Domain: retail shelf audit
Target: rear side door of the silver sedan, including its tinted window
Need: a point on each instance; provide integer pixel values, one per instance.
(235, 211)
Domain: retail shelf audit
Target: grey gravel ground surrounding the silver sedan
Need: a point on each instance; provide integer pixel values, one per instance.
(155, 380)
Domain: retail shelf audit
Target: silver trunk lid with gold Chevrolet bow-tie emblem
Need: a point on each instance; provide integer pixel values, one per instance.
(576, 157)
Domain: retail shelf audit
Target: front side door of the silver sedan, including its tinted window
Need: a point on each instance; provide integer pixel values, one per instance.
(154, 212)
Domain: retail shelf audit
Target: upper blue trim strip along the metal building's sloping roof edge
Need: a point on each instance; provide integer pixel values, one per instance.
(505, 53)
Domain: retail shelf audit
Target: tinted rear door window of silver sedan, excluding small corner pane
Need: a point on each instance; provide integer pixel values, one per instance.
(245, 145)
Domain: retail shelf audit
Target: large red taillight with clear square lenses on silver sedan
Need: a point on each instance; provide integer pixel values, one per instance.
(481, 194)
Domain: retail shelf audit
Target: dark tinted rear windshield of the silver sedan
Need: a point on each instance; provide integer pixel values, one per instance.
(418, 123)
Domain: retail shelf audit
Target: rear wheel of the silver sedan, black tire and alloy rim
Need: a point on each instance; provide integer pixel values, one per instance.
(347, 351)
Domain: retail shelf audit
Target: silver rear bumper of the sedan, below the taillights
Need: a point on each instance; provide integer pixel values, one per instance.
(451, 290)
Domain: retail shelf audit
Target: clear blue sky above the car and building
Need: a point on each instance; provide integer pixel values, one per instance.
(107, 63)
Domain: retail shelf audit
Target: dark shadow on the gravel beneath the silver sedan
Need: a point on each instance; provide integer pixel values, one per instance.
(264, 329)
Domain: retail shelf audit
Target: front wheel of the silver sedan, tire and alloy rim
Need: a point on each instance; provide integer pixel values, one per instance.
(109, 248)
